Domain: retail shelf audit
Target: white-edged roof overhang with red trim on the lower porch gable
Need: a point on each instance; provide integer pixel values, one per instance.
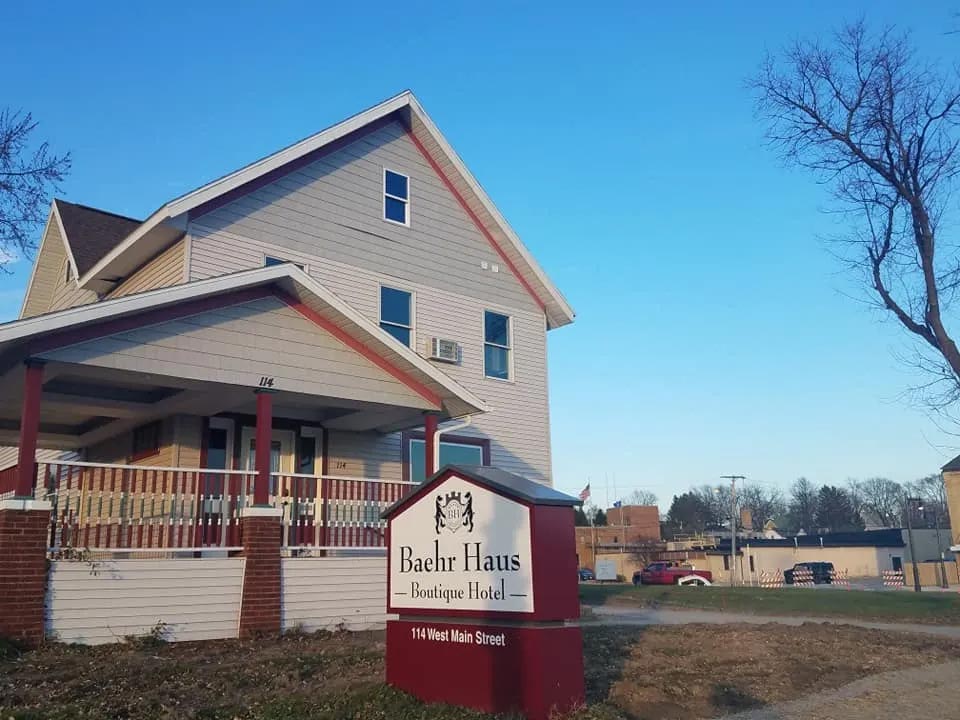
(34, 334)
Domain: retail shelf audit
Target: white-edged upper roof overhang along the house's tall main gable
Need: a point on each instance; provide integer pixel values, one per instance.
(156, 231)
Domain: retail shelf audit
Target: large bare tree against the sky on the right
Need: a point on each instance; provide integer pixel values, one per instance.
(880, 127)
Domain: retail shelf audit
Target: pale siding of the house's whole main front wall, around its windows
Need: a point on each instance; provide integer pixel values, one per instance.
(327, 216)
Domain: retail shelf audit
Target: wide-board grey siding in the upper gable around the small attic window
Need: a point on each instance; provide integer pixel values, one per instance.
(333, 209)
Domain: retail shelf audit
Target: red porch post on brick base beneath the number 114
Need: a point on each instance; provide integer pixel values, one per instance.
(261, 528)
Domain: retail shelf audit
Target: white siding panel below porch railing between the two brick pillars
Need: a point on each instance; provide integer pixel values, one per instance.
(195, 599)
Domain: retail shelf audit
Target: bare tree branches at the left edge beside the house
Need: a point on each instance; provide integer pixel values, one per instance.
(29, 174)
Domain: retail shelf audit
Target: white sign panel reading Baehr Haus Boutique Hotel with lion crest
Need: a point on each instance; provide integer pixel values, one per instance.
(461, 547)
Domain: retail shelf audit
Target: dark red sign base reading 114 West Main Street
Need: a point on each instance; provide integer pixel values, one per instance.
(492, 667)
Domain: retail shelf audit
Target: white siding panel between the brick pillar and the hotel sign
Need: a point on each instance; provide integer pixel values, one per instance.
(327, 593)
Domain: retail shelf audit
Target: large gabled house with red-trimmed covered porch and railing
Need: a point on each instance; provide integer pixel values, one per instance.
(342, 317)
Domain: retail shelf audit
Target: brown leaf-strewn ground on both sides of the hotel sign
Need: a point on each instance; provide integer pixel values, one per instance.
(692, 671)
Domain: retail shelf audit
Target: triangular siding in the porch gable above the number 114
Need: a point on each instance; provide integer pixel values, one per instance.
(239, 344)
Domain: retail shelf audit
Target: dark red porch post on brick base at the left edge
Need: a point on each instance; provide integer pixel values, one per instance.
(24, 524)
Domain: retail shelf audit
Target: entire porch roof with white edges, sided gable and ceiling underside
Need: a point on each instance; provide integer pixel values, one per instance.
(90, 396)
